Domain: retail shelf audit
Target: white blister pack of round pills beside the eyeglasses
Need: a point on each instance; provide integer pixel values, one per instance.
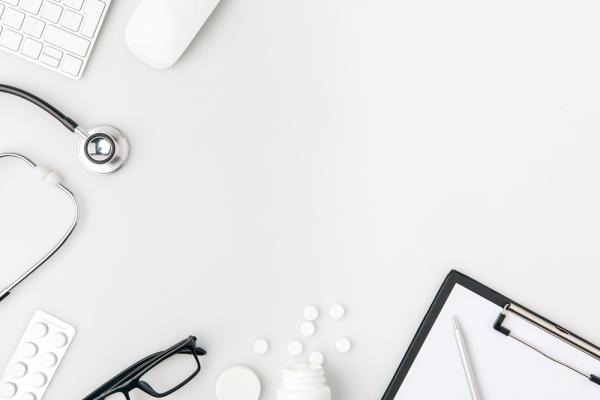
(36, 359)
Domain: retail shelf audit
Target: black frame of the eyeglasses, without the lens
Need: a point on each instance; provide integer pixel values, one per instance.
(131, 378)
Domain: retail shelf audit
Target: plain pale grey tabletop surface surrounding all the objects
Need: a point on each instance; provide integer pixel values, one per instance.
(311, 152)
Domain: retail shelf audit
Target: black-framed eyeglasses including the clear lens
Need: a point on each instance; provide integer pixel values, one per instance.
(158, 375)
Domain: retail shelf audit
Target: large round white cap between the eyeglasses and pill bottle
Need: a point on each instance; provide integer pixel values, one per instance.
(238, 383)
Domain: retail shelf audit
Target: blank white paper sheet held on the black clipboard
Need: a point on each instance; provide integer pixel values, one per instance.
(506, 369)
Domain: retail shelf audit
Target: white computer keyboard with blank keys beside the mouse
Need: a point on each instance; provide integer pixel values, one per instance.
(56, 34)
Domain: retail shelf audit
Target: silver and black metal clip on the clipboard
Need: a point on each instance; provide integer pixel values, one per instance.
(552, 329)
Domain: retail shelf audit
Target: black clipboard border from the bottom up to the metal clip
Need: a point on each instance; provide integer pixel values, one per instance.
(453, 278)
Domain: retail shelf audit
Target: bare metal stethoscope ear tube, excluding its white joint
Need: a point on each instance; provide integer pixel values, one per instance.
(5, 292)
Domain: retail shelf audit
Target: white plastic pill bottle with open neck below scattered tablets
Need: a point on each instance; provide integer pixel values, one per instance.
(304, 382)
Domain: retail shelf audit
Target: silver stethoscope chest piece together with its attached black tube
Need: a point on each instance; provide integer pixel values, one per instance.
(103, 150)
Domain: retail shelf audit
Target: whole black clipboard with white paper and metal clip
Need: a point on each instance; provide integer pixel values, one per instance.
(515, 348)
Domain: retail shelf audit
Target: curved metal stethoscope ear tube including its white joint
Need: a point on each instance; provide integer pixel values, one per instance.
(53, 179)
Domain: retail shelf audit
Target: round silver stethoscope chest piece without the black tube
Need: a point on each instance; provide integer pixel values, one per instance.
(104, 150)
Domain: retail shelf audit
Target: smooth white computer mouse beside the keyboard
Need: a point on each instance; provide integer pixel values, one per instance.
(159, 31)
